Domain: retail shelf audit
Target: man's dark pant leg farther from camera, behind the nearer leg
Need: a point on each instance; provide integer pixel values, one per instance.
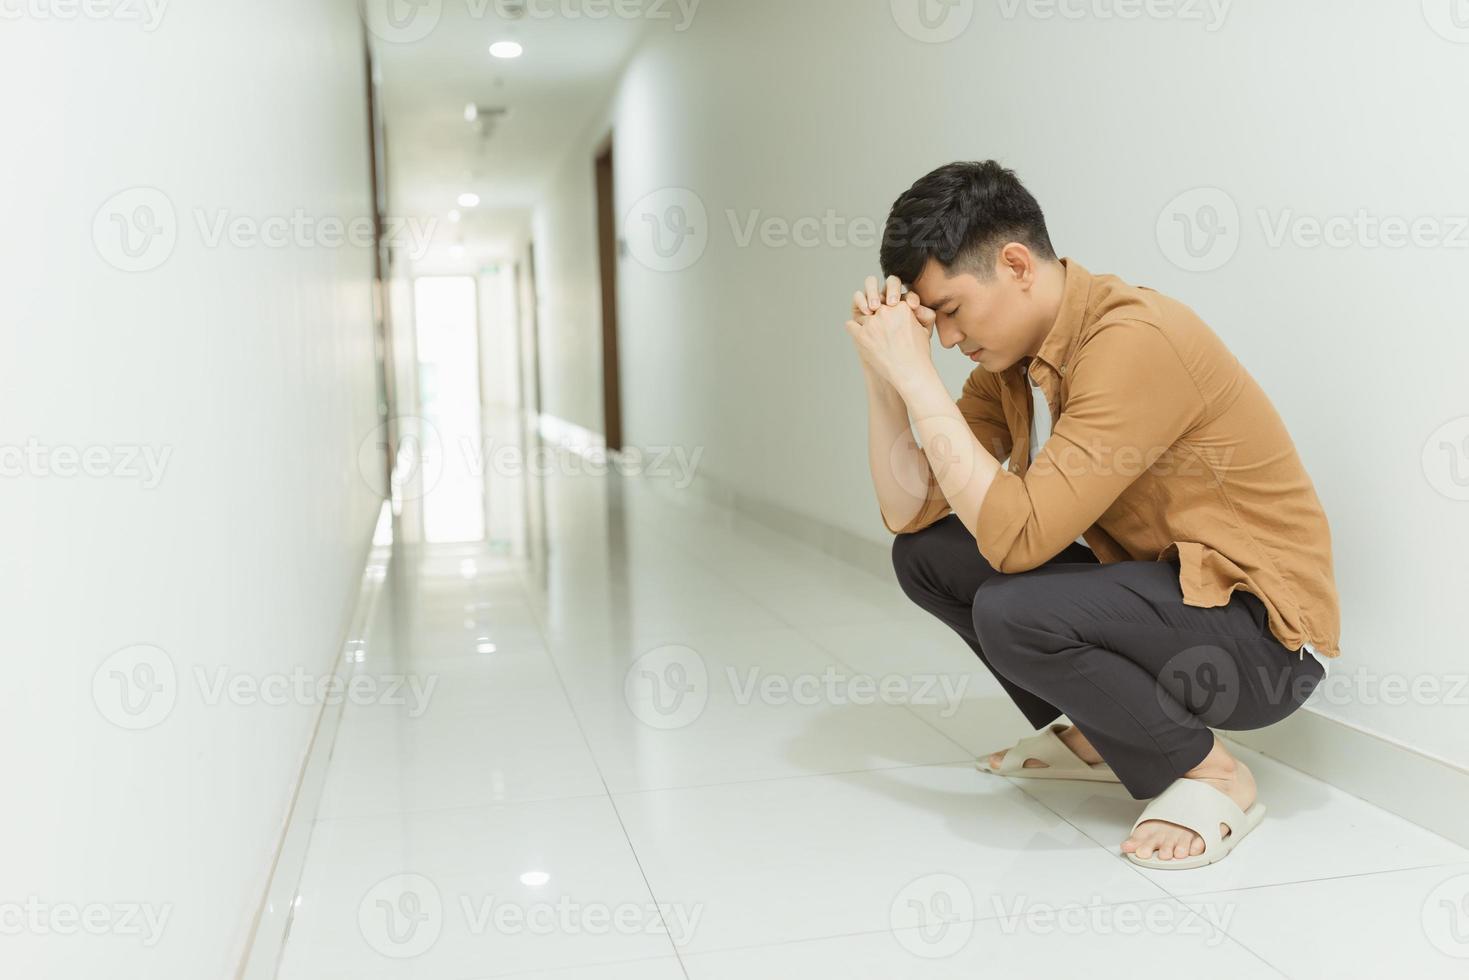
(941, 569)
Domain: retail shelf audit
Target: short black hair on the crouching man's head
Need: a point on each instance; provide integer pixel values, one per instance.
(963, 215)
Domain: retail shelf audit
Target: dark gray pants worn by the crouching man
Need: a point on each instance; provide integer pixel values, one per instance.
(1114, 647)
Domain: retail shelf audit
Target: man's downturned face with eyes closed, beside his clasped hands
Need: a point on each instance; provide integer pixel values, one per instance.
(986, 320)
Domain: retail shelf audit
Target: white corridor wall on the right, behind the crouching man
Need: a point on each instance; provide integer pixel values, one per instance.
(1302, 109)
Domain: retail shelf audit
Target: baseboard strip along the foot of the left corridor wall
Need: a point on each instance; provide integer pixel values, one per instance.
(272, 923)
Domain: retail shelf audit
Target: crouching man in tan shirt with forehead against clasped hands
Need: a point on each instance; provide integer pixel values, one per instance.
(1154, 562)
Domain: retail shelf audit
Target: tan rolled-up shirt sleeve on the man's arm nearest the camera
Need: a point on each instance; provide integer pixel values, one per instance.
(1130, 400)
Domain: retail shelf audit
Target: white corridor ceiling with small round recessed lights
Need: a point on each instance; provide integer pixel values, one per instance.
(552, 93)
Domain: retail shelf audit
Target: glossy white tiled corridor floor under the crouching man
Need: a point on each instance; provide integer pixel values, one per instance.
(666, 769)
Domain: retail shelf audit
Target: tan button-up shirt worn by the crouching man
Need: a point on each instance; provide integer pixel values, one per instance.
(1163, 446)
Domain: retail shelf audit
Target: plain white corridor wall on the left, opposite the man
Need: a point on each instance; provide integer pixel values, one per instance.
(253, 370)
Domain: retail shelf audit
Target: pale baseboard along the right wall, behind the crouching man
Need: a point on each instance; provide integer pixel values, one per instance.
(1423, 790)
